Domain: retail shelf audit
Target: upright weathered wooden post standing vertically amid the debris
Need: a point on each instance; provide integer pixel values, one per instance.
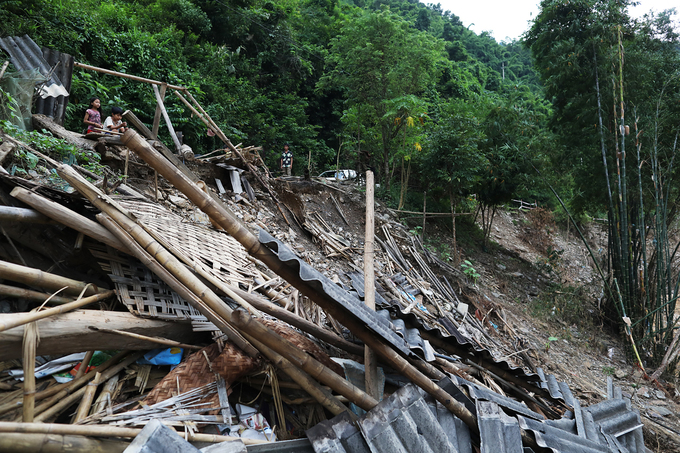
(370, 361)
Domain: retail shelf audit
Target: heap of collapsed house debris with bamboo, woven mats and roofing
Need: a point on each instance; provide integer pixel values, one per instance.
(271, 338)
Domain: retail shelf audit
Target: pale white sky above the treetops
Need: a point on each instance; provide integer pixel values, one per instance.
(509, 19)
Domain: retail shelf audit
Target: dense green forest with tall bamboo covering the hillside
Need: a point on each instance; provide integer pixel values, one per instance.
(584, 107)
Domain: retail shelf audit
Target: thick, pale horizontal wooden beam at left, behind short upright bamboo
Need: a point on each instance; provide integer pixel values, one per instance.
(68, 333)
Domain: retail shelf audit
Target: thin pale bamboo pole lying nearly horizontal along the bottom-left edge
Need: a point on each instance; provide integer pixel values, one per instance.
(107, 431)
